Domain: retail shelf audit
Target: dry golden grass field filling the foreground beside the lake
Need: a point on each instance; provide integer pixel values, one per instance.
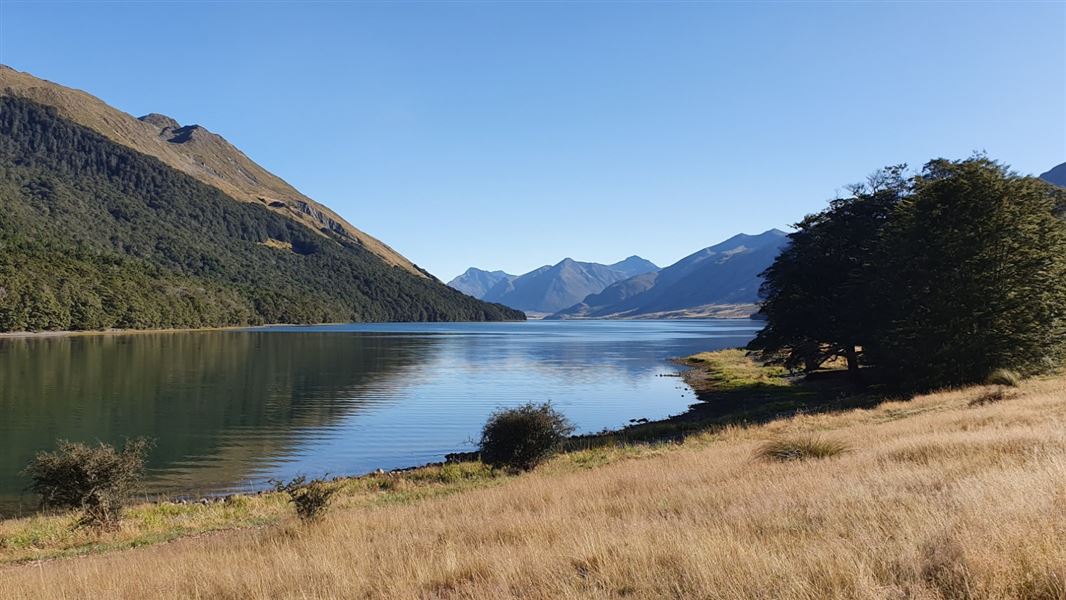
(955, 495)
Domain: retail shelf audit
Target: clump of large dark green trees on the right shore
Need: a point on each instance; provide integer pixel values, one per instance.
(936, 280)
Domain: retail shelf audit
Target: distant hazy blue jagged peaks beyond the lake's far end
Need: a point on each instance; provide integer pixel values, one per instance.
(550, 288)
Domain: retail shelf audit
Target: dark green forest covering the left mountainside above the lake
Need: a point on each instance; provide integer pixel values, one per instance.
(96, 236)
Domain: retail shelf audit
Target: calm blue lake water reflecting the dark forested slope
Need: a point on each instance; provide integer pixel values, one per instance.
(231, 410)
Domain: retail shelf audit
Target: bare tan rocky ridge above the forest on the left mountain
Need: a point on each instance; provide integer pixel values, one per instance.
(196, 152)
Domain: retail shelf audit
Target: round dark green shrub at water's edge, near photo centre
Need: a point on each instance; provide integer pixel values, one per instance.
(522, 439)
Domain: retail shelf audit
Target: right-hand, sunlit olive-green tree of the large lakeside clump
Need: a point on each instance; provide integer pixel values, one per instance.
(974, 278)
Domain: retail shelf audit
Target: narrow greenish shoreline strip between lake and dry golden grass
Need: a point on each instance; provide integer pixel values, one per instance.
(733, 392)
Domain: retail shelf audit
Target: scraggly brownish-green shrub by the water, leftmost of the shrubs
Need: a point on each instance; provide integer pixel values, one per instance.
(93, 479)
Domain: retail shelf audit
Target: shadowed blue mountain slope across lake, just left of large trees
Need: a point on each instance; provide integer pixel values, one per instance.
(724, 274)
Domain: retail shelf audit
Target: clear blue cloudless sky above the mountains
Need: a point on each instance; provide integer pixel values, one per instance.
(509, 136)
